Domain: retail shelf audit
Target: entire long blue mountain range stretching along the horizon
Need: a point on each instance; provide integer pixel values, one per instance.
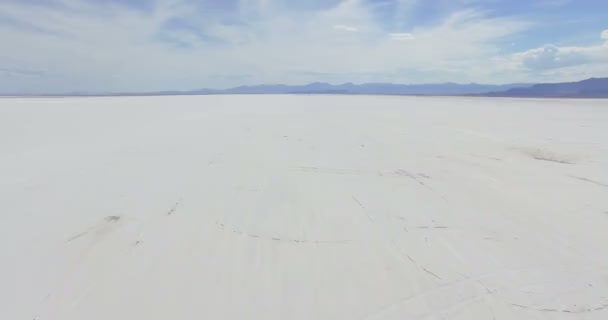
(590, 88)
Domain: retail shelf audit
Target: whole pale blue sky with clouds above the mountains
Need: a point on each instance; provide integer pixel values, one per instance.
(52, 46)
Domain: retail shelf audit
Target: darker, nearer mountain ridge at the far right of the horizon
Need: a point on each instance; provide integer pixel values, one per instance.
(590, 88)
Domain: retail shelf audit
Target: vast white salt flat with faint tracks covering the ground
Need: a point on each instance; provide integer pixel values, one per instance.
(303, 207)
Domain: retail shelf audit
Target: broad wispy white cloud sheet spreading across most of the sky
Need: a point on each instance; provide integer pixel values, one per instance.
(179, 46)
